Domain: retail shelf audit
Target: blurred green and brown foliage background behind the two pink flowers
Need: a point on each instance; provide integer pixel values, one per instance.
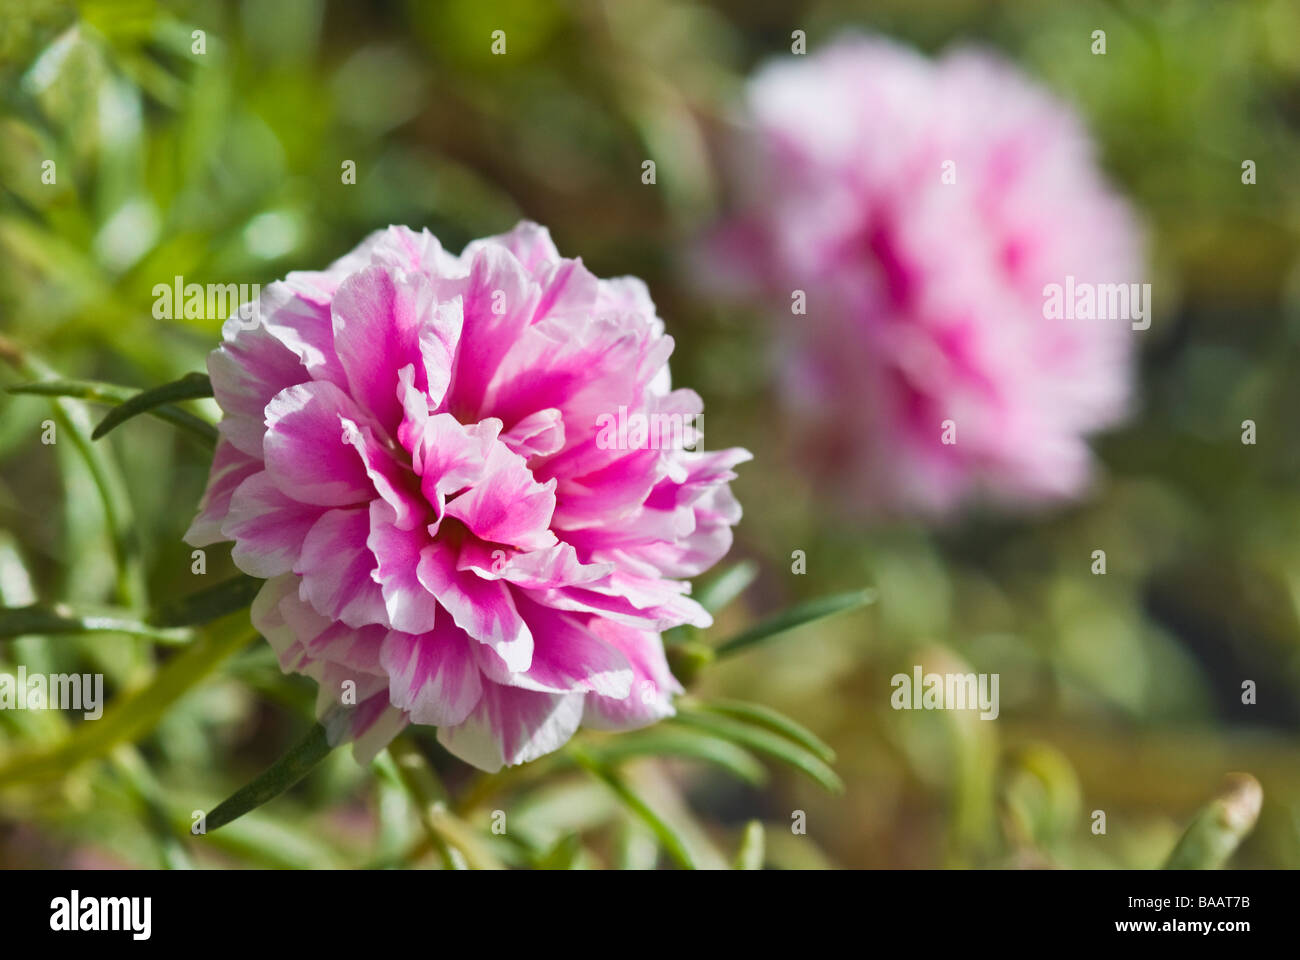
(1119, 694)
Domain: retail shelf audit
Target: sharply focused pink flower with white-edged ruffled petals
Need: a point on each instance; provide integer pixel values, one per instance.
(411, 456)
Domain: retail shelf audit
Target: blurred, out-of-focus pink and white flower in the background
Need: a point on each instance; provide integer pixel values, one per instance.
(924, 207)
